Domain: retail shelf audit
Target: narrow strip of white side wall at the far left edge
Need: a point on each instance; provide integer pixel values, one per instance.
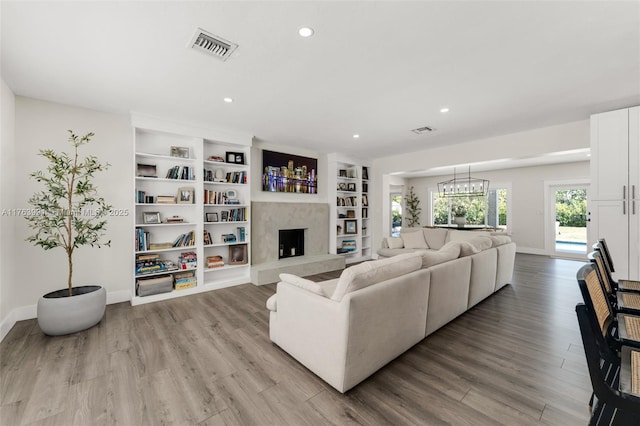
(7, 185)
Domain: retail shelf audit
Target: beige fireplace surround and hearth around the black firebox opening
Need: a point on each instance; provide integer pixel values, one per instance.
(267, 218)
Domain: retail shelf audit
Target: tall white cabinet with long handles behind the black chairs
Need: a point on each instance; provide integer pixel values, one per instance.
(614, 195)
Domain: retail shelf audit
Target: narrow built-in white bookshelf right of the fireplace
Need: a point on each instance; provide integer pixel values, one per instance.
(350, 230)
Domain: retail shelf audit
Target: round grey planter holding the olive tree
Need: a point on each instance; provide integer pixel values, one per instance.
(59, 313)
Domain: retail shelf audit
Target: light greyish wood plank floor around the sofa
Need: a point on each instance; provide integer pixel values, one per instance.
(514, 359)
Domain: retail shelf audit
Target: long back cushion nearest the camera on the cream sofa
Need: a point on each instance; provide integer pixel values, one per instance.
(372, 272)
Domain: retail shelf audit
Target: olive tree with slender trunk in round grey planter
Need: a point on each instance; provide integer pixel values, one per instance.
(69, 214)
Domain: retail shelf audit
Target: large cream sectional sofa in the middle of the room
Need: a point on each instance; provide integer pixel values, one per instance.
(347, 328)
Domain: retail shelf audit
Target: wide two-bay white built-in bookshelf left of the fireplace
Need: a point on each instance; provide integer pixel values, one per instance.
(191, 224)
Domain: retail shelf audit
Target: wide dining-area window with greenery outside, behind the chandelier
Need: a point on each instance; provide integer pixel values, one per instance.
(478, 211)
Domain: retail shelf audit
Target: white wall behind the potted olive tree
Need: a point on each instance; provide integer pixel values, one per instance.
(41, 124)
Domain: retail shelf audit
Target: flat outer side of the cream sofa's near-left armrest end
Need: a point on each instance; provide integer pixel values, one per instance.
(312, 329)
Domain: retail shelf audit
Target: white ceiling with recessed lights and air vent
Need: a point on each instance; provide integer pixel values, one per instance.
(377, 69)
